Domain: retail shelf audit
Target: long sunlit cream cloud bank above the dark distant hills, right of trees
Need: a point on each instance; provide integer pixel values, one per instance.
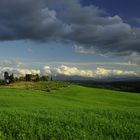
(98, 73)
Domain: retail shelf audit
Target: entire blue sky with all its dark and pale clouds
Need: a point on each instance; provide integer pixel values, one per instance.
(86, 38)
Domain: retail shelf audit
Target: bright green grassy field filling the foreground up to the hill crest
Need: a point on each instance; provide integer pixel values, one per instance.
(32, 112)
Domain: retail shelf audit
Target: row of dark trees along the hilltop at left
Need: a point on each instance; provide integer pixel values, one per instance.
(28, 77)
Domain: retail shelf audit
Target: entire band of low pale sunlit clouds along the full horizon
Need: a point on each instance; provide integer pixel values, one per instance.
(70, 71)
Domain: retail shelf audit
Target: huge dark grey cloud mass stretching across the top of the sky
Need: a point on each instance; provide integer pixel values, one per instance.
(88, 27)
